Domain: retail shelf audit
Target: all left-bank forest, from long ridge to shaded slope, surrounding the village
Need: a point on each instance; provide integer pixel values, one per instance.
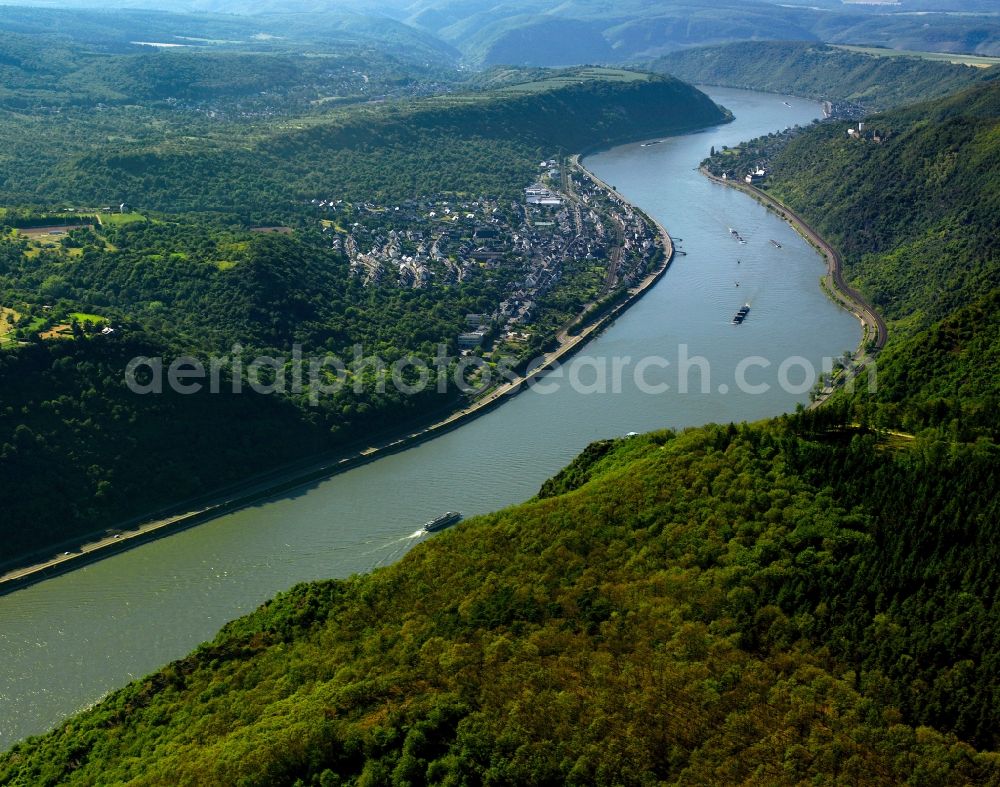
(87, 454)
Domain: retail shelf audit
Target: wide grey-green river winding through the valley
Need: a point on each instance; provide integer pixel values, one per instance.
(66, 642)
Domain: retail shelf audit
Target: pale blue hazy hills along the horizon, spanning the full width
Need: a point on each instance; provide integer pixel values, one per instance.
(570, 32)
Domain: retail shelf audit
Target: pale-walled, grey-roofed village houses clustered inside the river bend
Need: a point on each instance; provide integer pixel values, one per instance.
(527, 245)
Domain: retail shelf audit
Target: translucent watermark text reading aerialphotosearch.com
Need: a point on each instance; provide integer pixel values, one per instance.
(324, 375)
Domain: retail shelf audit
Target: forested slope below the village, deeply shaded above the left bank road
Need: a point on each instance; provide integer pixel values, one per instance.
(80, 452)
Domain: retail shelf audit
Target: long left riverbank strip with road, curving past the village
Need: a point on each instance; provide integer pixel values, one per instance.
(287, 479)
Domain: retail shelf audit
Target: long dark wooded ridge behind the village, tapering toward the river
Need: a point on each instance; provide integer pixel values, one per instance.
(483, 142)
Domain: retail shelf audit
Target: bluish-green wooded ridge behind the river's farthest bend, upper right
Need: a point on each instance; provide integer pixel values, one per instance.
(820, 71)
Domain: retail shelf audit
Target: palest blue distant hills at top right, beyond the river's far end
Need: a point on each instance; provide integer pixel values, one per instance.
(583, 31)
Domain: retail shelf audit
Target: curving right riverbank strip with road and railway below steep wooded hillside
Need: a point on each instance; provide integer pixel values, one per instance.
(875, 332)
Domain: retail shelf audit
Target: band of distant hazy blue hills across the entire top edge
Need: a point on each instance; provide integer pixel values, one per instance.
(517, 32)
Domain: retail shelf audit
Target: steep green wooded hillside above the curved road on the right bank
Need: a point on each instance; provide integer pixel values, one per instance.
(913, 213)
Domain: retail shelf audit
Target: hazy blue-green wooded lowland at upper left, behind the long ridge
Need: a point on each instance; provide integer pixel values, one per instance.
(63, 100)
